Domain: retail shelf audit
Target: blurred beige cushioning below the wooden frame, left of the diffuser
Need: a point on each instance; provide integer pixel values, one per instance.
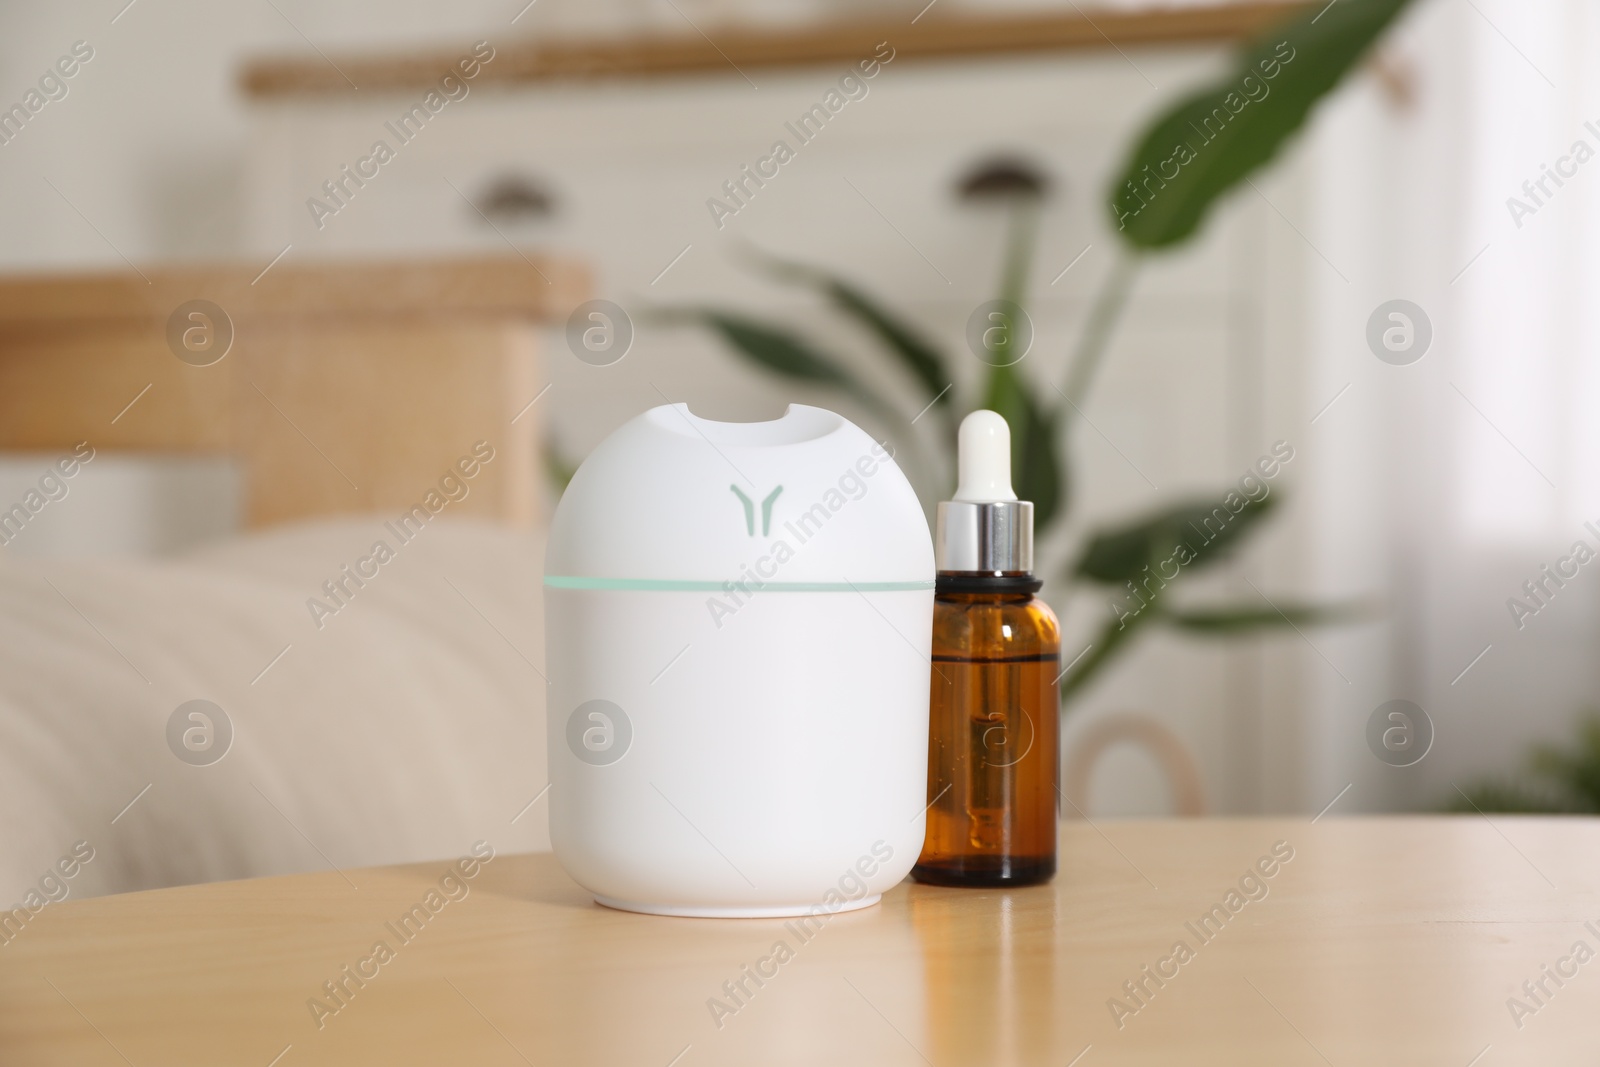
(407, 727)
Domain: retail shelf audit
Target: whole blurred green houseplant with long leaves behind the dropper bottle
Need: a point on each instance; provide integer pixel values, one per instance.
(1183, 164)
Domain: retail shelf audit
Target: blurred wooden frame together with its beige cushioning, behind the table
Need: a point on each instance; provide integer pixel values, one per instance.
(356, 706)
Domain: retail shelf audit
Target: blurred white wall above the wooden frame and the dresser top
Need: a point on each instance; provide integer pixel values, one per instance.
(150, 146)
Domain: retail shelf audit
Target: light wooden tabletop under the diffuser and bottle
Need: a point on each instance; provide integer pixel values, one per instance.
(1382, 941)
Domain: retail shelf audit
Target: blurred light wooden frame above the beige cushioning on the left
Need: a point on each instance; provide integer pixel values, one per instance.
(346, 388)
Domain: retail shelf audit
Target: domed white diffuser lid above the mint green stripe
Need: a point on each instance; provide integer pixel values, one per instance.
(676, 502)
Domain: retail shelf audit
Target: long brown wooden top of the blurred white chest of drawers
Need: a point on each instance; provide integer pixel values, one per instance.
(732, 50)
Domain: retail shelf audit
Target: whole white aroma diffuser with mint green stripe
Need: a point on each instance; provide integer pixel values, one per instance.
(738, 625)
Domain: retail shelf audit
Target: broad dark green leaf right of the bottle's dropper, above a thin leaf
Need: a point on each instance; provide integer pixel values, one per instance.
(1193, 535)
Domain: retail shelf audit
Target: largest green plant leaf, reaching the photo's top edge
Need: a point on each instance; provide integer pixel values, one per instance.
(1215, 138)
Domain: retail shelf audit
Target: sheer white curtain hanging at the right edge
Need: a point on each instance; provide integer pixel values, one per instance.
(1447, 484)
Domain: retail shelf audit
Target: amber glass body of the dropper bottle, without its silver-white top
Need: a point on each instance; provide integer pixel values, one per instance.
(993, 746)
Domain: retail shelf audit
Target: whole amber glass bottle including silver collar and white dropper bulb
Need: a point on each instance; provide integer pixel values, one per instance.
(993, 740)
